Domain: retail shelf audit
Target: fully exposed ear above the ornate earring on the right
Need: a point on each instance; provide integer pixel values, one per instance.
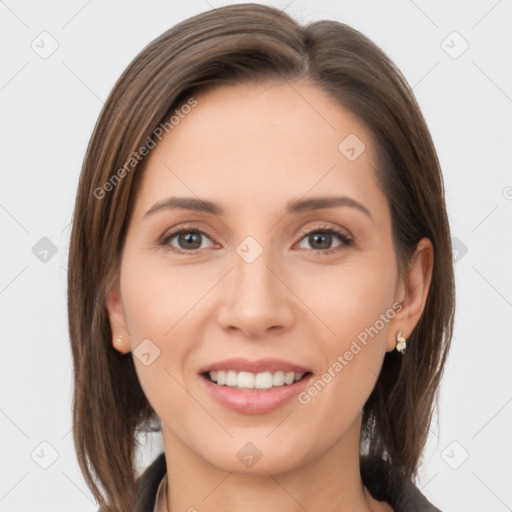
(412, 292)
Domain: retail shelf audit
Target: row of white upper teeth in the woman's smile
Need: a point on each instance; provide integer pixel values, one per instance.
(248, 380)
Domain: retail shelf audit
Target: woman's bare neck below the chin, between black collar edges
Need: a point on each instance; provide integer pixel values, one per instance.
(328, 482)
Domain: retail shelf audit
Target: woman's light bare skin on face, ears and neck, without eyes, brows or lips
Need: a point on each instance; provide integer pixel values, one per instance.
(291, 303)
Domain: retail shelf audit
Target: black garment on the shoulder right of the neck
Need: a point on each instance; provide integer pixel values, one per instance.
(387, 483)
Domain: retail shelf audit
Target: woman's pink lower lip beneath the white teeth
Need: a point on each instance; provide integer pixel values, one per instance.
(255, 402)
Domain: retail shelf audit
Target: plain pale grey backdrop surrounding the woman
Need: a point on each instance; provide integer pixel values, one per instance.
(48, 109)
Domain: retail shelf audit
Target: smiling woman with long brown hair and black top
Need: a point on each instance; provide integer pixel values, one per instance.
(260, 260)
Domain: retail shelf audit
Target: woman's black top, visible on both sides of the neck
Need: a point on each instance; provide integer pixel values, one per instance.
(384, 481)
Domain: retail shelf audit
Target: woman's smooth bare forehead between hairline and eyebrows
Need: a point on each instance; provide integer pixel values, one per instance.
(262, 144)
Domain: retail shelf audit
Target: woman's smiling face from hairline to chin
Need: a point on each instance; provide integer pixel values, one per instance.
(245, 292)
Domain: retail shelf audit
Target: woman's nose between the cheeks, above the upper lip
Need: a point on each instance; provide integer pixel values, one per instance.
(257, 301)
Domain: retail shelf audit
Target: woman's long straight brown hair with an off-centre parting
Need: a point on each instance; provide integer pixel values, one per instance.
(235, 44)
